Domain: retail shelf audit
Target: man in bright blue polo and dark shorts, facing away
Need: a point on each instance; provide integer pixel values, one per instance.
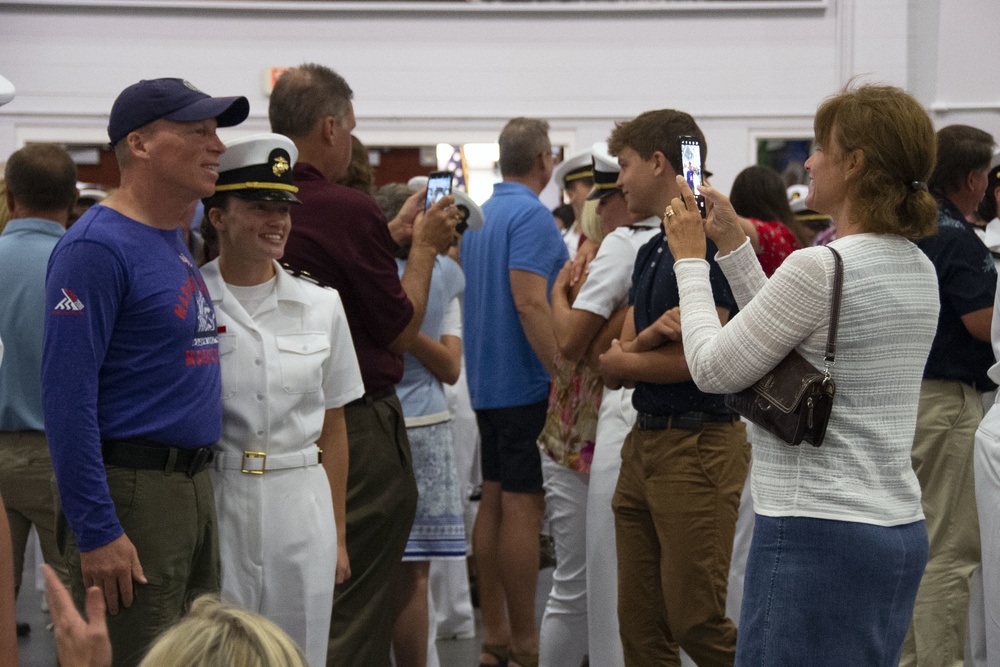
(510, 265)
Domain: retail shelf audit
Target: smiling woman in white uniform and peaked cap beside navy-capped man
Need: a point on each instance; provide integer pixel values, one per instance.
(288, 368)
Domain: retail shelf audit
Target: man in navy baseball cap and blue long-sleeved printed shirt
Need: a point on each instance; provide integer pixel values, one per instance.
(131, 389)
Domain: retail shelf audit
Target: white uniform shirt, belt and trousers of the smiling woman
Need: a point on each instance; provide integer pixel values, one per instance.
(282, 368)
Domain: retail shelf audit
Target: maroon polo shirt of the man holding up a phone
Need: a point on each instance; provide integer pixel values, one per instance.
(340, 237)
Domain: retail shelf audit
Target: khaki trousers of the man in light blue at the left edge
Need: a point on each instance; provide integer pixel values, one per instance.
(27, 491)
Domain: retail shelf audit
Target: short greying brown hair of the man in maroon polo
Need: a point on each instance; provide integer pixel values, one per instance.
(305, 95)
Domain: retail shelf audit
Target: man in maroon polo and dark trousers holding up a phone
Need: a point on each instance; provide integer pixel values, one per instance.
(340, 238)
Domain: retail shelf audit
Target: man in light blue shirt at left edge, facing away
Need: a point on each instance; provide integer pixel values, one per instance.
(41, 191)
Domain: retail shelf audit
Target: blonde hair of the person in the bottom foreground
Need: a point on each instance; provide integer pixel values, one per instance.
(214, 634)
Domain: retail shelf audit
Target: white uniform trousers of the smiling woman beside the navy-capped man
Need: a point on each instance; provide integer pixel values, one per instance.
(278, 549)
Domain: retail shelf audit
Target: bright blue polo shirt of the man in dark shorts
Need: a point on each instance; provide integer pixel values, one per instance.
(519, 233)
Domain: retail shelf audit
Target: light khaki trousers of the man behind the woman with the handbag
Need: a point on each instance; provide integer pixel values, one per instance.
(948, 416)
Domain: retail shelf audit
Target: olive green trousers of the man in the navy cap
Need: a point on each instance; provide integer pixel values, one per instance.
(170, 519)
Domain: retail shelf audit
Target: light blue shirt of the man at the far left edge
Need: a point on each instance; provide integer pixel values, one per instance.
(25, 246)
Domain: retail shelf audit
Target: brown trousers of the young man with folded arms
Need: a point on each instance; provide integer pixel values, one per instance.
(675, 510)
